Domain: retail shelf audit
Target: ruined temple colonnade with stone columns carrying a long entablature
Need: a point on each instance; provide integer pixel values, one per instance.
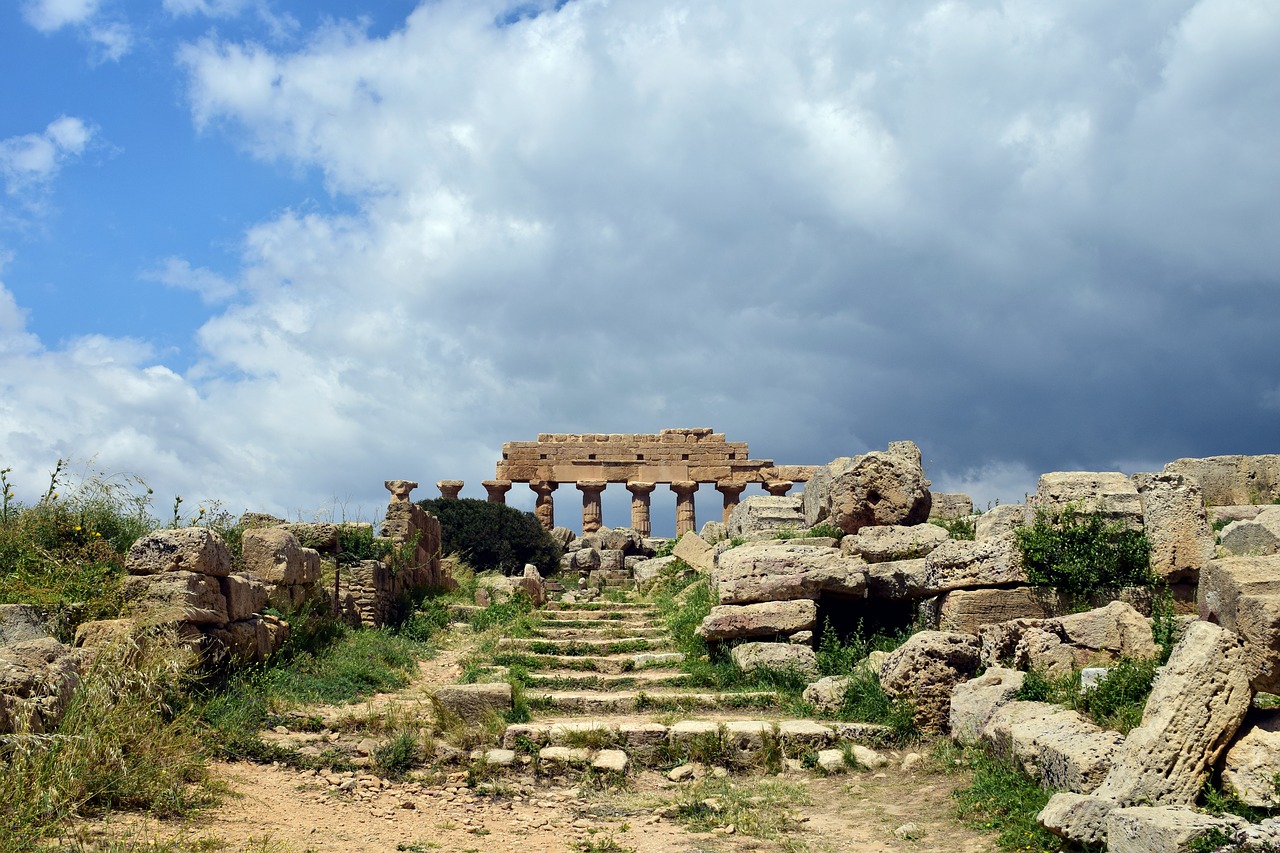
(683, 459)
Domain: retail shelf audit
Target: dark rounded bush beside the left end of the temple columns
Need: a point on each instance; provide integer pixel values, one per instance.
(495, 536)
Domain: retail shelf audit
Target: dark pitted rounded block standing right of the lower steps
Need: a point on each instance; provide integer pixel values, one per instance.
(927, 668)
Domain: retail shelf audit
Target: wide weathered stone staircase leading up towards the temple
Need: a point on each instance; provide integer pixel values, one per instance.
(606, 688)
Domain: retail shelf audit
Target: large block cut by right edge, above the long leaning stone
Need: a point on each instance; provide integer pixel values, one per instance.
(1244, 595)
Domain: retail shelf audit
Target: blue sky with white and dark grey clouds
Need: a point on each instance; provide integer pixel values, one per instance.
(273, 253)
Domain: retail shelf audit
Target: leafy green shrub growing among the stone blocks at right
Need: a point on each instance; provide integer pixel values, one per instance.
(1081, 554)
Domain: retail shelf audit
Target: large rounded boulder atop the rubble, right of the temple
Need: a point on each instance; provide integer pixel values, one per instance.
(871, 490)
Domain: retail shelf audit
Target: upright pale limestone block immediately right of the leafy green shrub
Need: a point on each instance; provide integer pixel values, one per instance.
(1173, 512)
